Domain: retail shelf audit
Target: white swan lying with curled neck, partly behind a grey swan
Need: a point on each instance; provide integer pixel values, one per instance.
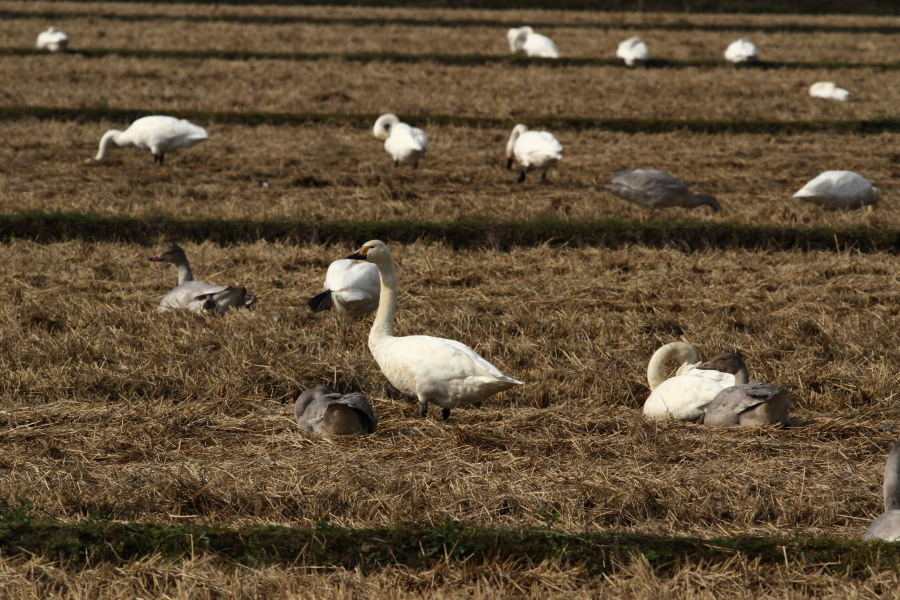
(684, 396)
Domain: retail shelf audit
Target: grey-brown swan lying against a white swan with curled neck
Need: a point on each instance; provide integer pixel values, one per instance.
(746, 403)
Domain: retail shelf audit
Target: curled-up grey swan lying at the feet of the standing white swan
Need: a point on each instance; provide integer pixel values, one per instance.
(321, 410)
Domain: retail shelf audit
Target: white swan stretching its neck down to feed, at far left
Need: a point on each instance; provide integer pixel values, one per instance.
(157, 133)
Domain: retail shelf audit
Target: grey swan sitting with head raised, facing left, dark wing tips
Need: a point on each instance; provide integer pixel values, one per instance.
(199, 296)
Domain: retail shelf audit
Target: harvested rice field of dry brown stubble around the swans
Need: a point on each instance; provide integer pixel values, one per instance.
(149, 454)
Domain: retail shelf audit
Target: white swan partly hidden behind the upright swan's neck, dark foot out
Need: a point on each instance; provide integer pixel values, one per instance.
(351, 288)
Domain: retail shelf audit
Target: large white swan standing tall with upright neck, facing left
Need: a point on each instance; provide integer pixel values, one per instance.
(437, 370)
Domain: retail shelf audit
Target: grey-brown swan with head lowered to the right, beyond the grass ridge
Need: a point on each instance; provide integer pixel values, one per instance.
(657, 189)
